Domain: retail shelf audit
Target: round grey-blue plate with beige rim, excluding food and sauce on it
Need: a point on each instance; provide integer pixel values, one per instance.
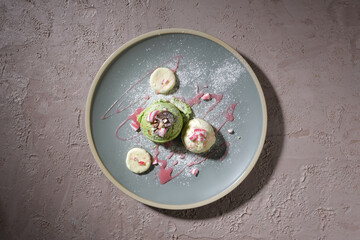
(205, 61)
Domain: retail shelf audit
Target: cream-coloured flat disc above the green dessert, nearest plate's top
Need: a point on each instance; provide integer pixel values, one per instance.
(162, 80)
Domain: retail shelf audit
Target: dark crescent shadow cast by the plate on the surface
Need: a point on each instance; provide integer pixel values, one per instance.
(263, 169)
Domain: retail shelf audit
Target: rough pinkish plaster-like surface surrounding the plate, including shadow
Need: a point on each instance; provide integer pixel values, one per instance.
(306, 183)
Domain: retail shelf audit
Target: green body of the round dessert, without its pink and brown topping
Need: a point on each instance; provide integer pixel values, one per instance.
(171, 132)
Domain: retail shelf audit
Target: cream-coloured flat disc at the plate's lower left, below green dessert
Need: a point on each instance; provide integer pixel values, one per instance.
(138, 160)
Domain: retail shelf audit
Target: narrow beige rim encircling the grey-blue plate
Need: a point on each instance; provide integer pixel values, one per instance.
(96, 81)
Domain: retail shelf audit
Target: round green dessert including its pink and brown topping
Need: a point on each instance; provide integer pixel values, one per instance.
(161, 121)
